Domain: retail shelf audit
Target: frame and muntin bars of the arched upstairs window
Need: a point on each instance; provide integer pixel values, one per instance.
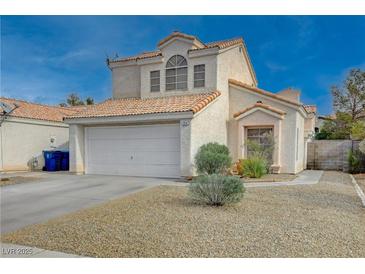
(175, 68)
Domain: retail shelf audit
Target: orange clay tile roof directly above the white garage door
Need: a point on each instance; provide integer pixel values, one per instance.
(137, 106)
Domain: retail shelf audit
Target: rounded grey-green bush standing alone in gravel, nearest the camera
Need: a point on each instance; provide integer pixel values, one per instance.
(216, 189)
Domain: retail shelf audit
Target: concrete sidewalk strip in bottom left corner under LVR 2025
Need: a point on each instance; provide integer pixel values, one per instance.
(19, 251)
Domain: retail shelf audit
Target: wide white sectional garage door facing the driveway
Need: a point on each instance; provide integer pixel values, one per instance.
(152, 151)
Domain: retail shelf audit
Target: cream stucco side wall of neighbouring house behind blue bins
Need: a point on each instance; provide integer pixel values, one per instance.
(23, 139)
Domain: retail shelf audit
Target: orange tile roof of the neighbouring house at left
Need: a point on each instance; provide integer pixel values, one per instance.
(37, 111)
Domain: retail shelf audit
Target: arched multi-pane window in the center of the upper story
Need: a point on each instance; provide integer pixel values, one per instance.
(177, 73)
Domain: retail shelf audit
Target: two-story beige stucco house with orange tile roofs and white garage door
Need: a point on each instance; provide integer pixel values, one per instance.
(169, 102)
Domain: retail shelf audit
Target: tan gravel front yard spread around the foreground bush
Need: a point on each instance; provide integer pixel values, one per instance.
(322, 220)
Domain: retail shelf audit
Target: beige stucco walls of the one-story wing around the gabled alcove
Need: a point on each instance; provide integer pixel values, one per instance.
(287, 148)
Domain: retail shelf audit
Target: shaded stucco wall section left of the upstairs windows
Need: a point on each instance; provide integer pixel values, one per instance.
(126, 81)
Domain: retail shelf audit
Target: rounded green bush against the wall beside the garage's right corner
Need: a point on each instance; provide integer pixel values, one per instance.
(212, 158)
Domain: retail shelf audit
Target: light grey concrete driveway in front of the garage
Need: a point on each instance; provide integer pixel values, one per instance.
(56, 194)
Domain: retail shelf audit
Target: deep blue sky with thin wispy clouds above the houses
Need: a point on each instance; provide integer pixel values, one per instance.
(45, 58)
